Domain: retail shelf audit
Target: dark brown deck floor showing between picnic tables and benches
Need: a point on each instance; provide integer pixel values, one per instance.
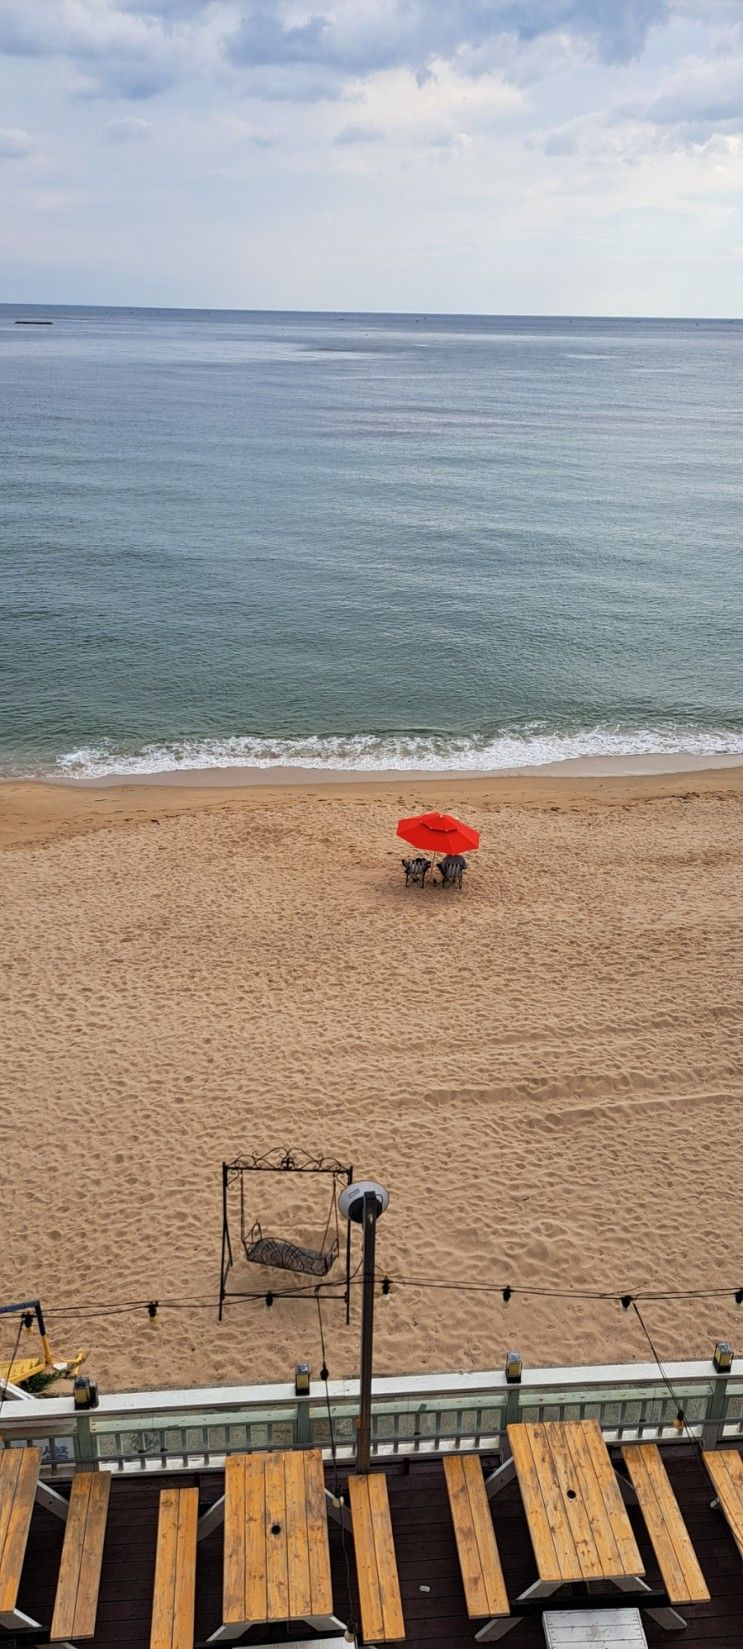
(432, 1594)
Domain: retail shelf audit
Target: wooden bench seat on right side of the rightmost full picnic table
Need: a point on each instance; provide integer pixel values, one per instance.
(666, 1528)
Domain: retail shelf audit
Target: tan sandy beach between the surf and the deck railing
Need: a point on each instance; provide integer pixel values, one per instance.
(544, 1071)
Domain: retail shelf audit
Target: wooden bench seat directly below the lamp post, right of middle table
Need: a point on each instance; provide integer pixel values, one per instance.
(376, 1567)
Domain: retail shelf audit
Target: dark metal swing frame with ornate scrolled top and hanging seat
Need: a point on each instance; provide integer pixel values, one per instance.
(283, 1252)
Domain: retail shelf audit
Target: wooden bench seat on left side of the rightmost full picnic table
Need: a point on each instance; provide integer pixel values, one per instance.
(480, 1564)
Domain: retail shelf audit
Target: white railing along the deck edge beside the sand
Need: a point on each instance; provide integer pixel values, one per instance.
(411, 1416)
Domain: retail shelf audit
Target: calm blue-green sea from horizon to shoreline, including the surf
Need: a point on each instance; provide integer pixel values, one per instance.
(367, 542)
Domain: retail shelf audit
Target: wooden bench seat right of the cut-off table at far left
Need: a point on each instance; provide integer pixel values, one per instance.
(83, 1553)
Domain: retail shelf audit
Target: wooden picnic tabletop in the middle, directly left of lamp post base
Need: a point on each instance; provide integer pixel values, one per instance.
(276, 1543)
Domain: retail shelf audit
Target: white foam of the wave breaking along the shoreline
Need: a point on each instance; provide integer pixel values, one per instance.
(531, 746)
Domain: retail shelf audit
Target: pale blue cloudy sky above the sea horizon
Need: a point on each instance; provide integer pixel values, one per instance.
(549, 157)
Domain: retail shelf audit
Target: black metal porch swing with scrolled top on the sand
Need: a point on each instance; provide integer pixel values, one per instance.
(281, 1252)
